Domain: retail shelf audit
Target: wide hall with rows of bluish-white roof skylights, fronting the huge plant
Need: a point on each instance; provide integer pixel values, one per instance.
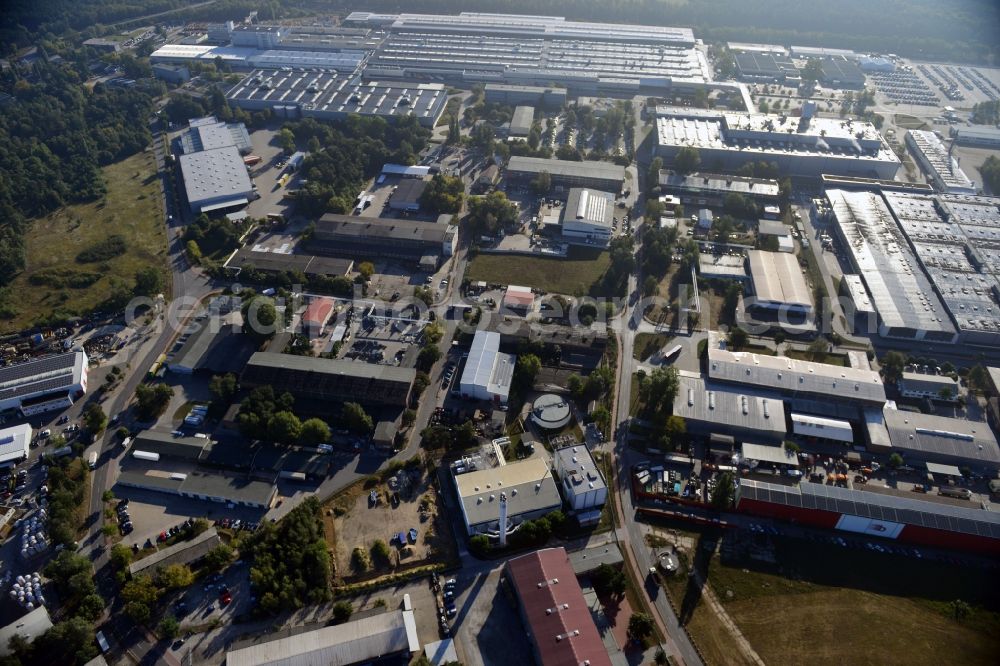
(307, 92)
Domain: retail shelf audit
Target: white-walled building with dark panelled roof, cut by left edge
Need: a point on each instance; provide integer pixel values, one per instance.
(44, 384)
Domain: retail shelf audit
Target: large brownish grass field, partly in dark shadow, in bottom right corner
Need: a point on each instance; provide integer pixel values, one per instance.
(831, 605)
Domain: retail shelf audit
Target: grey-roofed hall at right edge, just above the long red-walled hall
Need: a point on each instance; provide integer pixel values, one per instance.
(930, 435)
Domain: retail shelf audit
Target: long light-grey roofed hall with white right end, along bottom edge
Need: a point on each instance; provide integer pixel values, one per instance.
(358, 641)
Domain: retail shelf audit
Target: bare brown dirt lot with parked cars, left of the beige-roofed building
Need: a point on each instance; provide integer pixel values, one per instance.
(404, 501)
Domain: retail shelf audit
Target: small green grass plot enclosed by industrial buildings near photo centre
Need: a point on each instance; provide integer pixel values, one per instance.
(578, 275)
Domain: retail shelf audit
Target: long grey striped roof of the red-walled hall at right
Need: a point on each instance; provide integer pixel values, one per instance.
(891, 508)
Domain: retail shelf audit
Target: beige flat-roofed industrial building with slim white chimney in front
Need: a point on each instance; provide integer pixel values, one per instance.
(527, 486)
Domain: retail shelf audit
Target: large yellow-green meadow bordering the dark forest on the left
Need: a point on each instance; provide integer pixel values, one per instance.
(132, 209)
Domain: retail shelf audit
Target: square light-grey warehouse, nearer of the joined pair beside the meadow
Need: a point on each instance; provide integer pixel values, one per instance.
(216, 179)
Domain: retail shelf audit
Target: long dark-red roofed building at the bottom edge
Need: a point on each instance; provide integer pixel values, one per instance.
(559, 624)
